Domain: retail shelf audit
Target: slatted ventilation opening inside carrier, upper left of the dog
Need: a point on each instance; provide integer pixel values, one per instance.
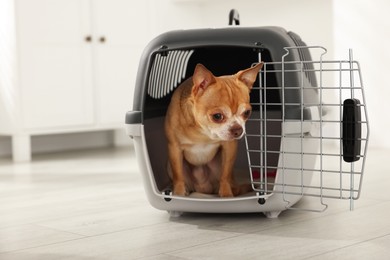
(168, 70)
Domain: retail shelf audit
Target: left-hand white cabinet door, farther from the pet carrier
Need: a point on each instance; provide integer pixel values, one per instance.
(55, 63)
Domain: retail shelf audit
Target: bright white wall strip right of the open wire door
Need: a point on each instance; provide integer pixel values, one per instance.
(365, 27)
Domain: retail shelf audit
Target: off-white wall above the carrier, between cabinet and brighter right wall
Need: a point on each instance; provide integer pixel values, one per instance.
(312, 19)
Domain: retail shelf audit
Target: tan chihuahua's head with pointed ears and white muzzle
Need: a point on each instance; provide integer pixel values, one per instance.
(221, 104)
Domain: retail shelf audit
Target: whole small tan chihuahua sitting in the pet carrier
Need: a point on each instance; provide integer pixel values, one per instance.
(205, 118)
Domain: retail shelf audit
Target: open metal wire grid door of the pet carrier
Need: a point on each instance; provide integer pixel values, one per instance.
(313, 141)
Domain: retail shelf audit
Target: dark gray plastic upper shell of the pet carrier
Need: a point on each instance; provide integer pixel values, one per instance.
(273, 39)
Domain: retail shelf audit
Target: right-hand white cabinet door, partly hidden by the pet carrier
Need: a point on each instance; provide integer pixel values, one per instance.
(122, 29)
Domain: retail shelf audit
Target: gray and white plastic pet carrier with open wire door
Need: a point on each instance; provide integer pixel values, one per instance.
(289, 147)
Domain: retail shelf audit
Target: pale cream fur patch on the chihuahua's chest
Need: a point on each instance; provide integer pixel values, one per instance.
(200, 154)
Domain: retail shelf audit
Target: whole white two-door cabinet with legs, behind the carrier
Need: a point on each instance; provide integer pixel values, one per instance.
(76, 66)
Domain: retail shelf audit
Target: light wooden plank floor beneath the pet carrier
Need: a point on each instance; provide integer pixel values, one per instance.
(91, 205)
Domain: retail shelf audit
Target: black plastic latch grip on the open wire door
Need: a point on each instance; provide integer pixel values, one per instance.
(351, 130)
